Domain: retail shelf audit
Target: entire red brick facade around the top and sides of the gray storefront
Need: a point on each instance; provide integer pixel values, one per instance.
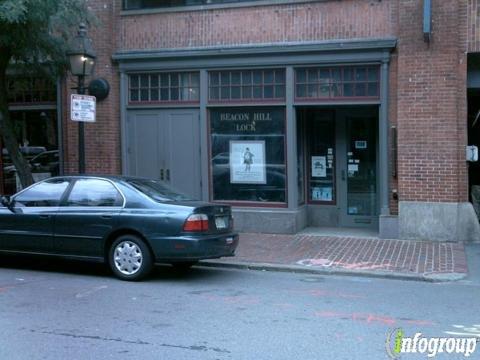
(427, 99)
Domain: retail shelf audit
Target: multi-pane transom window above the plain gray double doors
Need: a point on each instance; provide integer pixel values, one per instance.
(164, 88)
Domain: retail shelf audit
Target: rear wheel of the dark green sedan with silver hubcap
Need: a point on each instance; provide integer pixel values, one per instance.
(130, 258)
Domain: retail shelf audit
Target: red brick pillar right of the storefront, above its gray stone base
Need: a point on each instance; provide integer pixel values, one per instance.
(431, 92)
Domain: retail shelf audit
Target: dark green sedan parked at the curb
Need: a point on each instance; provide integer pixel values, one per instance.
(130, 223)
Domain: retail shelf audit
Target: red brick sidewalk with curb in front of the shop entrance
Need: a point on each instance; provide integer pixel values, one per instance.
(340, 254)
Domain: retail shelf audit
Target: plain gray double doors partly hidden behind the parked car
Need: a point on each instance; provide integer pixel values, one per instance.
(165, 145)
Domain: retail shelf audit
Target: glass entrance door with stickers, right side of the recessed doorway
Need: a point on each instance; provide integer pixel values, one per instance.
(357, 167)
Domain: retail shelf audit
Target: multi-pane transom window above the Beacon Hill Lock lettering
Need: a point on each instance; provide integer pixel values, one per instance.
(246, 85)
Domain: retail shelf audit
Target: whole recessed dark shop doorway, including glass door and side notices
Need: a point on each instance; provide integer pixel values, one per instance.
(341, 167)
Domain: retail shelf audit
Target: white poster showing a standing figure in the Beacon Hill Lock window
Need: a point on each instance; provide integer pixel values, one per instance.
(247, 162)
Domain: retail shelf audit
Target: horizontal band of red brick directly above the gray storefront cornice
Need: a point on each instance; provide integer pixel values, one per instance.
(282, 23)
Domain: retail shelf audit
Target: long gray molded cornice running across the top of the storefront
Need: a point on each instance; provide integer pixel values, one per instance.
(281, 54)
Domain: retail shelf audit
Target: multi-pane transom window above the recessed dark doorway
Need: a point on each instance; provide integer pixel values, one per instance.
(345, 82)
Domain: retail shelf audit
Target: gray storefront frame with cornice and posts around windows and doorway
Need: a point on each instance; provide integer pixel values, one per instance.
(288, 56)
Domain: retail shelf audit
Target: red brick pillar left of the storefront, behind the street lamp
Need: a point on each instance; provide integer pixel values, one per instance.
(102, 138)
